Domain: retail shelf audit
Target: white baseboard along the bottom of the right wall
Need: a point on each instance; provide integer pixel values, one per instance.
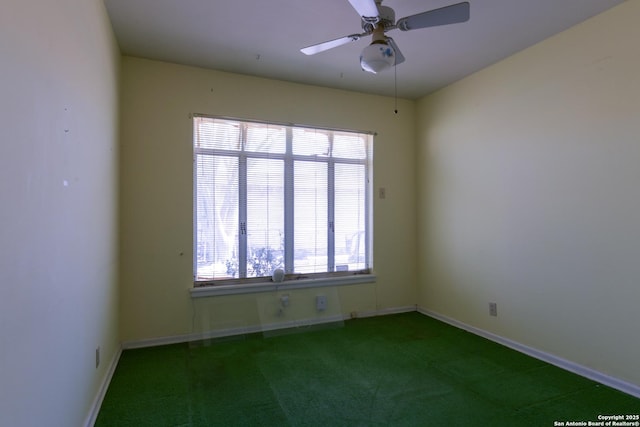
(616, 383)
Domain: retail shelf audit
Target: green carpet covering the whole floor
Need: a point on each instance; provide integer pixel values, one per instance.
(399, 370)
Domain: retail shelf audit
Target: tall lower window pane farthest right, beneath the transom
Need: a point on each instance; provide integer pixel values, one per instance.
(349, 211)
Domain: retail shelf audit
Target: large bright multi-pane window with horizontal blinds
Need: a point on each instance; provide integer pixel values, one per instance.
(270, 196)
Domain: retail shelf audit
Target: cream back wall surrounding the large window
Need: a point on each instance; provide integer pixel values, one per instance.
(156, 194)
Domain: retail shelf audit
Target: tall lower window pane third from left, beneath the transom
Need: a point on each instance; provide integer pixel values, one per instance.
(310, 217)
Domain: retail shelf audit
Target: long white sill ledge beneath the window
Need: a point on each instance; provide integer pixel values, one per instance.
(269, 286)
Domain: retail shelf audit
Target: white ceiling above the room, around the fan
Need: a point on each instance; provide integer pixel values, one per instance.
(264, 37)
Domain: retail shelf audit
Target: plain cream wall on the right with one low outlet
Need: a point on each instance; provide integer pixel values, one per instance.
(528, 183)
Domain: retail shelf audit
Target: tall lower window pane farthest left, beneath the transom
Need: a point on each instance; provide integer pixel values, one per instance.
(216, 216)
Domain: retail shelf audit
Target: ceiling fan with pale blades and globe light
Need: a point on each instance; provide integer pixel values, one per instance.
(383, 52)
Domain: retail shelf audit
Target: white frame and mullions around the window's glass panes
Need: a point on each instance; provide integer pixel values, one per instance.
(292, 279)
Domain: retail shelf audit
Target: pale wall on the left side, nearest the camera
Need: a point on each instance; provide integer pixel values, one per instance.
(58, 209)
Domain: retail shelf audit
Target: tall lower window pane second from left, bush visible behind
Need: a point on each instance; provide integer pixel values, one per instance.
(265, 216)
